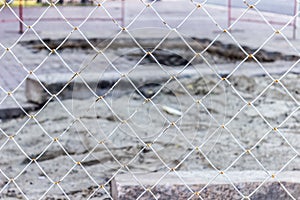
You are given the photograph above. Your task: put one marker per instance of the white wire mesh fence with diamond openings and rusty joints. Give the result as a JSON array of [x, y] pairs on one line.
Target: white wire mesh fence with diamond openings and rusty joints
[[126, 123]]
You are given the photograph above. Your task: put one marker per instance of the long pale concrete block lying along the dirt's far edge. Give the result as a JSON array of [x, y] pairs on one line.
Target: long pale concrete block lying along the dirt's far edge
[[77, 90]]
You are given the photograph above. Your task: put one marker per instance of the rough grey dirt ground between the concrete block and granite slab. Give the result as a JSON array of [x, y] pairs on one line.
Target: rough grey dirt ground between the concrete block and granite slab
[[103, 143]]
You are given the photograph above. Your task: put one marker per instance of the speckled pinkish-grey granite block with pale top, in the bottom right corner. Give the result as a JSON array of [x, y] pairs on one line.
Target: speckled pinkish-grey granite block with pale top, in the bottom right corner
[[125, 186]]
